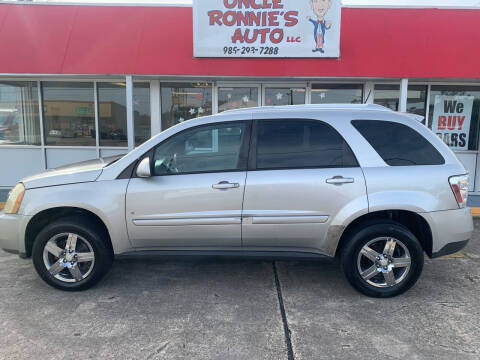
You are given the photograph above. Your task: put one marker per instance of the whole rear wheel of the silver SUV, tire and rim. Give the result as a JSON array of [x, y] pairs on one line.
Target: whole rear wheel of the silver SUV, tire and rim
[[382, 260]]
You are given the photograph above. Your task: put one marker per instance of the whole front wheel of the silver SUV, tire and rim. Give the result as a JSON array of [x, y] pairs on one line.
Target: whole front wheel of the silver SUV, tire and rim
[[72, 254]]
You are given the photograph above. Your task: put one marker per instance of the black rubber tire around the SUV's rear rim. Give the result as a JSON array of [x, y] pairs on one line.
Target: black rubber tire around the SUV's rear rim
[[360, 236]]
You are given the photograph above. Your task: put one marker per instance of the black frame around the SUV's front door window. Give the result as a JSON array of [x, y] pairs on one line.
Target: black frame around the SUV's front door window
[[243, 155]]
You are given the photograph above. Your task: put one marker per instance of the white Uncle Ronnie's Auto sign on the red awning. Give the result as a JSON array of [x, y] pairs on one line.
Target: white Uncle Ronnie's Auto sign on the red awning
[[266, 28]]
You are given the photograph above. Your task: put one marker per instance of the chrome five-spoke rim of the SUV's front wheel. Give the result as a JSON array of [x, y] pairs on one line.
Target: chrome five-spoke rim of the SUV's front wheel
[[68, 257]]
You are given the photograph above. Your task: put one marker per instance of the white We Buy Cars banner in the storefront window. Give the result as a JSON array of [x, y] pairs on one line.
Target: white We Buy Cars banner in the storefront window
[[451, 120]]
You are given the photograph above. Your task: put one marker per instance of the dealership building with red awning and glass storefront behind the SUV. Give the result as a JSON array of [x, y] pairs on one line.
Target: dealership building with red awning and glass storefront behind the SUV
[[79, 82]]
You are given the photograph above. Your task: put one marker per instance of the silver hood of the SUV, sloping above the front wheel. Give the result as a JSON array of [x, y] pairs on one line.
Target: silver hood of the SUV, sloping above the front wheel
[[85, 171]]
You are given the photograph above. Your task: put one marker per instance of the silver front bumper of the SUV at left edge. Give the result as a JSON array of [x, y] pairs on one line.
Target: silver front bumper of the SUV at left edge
[[12, 232]]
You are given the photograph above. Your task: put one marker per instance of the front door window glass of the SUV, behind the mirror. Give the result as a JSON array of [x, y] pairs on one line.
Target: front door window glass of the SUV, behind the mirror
[[207, 148]]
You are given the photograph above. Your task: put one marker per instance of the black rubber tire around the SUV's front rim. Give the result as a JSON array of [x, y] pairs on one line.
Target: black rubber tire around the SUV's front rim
[[90, 231]]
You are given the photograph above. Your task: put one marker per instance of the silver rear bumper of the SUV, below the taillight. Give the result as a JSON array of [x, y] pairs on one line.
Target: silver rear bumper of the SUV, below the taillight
[[451, 230]]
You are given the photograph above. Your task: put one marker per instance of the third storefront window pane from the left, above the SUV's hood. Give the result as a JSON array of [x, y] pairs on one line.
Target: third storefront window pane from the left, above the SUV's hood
[[112, 111]]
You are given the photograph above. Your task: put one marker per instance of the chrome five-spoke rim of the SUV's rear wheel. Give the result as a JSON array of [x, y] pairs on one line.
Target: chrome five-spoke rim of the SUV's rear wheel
[[384, 262]]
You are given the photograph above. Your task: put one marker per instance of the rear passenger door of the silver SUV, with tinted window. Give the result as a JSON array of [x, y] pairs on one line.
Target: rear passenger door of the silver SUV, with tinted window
[[301, 174]]
